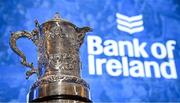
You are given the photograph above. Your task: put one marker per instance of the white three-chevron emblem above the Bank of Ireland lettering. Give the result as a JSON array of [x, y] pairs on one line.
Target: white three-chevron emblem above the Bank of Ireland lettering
[[131, 24]]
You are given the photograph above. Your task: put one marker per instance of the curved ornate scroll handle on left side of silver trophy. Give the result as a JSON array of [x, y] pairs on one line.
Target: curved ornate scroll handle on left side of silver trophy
[[24, 34]]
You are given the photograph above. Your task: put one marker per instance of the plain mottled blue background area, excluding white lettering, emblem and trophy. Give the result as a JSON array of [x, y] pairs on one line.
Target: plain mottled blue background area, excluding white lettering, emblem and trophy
[[161, 22]]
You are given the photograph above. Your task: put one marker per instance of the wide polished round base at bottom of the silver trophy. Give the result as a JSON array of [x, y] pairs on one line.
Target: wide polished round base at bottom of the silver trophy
[[64, 89]]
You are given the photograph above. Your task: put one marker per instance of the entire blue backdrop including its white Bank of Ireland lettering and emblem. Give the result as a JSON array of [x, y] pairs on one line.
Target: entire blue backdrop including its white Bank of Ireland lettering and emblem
[[133, 53]]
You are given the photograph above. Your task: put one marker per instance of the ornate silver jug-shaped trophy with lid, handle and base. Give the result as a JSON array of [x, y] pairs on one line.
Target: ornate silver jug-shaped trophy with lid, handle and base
[[58, 42]]
